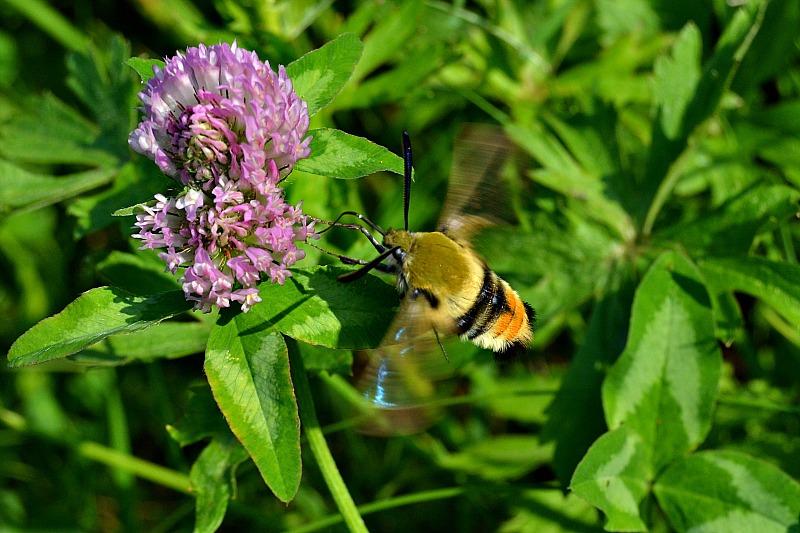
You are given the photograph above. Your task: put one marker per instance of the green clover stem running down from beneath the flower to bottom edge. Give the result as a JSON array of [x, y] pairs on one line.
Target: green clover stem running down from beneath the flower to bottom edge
[[318, 445]]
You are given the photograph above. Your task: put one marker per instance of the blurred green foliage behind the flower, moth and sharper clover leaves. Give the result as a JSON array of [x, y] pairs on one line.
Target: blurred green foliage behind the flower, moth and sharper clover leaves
[[584, 76]]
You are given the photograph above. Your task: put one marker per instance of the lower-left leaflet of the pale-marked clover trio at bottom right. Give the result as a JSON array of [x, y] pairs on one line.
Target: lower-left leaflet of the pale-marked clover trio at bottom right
[[614, 476]]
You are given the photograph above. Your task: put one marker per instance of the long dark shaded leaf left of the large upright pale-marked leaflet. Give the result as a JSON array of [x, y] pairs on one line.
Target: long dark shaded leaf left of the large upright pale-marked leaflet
[[575, 416]]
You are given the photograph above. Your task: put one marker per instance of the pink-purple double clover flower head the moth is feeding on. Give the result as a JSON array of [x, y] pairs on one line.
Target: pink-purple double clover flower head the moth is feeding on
[[229, 129]]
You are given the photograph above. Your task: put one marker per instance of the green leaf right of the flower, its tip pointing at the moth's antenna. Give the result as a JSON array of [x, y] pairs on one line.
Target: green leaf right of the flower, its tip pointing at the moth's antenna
[[338, 154]]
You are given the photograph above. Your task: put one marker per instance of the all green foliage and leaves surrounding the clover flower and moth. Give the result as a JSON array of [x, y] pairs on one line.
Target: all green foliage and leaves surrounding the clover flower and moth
[[657, 238]]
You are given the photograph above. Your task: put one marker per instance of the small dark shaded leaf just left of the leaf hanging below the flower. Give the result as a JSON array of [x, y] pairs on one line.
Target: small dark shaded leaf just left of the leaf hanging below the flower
[[201, 419]]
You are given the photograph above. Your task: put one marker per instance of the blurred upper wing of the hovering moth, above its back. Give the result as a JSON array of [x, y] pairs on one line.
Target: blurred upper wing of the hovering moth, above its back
[[477, 194]]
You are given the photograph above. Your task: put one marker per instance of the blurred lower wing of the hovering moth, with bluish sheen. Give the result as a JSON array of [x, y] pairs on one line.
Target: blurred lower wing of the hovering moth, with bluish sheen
[[400, 379]]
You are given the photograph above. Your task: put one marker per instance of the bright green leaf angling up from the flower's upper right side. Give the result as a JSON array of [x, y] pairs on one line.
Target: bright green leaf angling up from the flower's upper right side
[[320, 75]]
